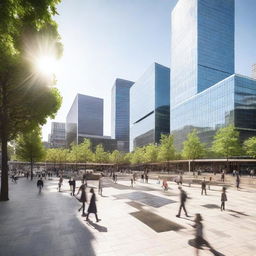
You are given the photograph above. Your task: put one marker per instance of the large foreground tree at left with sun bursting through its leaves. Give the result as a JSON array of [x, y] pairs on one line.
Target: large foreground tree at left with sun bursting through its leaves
[[27, 98]]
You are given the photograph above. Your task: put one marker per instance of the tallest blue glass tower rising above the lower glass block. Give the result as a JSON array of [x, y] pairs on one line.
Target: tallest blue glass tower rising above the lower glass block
[[202, 46]]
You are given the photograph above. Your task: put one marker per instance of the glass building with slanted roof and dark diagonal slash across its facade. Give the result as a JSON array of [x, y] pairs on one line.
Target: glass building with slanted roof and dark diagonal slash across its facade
[[150, 106]]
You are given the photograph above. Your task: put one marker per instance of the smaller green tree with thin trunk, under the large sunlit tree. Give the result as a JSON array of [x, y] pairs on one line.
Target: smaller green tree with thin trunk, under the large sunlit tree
[[30, 147]]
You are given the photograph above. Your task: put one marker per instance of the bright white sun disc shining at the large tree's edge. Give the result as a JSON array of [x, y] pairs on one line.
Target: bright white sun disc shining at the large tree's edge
[[47, 65]]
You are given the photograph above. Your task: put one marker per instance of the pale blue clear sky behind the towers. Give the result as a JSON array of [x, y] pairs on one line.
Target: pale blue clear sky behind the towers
[[106, 39]]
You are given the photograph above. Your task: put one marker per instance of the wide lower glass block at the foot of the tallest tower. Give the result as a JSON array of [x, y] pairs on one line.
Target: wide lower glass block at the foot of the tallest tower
[[231, 101]]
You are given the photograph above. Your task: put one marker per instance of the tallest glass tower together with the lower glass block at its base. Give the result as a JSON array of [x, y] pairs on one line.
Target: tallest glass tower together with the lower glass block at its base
[[205, 93]]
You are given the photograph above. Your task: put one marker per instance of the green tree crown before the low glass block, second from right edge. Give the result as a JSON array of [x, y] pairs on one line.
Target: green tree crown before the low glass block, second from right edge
[[226, 142]]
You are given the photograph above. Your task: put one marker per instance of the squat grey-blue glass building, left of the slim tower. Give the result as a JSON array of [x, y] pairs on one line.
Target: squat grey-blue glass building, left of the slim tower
[[85, 117]]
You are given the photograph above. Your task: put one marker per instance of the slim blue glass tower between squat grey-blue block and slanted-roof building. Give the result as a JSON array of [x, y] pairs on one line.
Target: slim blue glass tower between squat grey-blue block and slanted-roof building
[[120, 113]]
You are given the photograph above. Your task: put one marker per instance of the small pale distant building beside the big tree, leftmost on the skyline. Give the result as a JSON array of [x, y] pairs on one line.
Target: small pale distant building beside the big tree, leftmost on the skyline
[[57, 137]]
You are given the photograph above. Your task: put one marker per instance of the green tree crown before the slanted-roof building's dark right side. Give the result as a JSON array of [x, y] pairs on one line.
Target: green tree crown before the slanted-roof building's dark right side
[[166, 150]]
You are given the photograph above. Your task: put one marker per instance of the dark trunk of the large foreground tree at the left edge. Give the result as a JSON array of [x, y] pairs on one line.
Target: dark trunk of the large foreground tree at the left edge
[[4, 179]]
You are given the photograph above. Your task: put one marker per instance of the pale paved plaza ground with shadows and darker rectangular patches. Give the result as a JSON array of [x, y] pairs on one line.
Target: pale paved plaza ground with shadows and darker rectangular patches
[[137, 221]]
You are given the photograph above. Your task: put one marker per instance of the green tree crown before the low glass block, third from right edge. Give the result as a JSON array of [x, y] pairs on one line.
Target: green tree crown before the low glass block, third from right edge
[[192, 147]]
